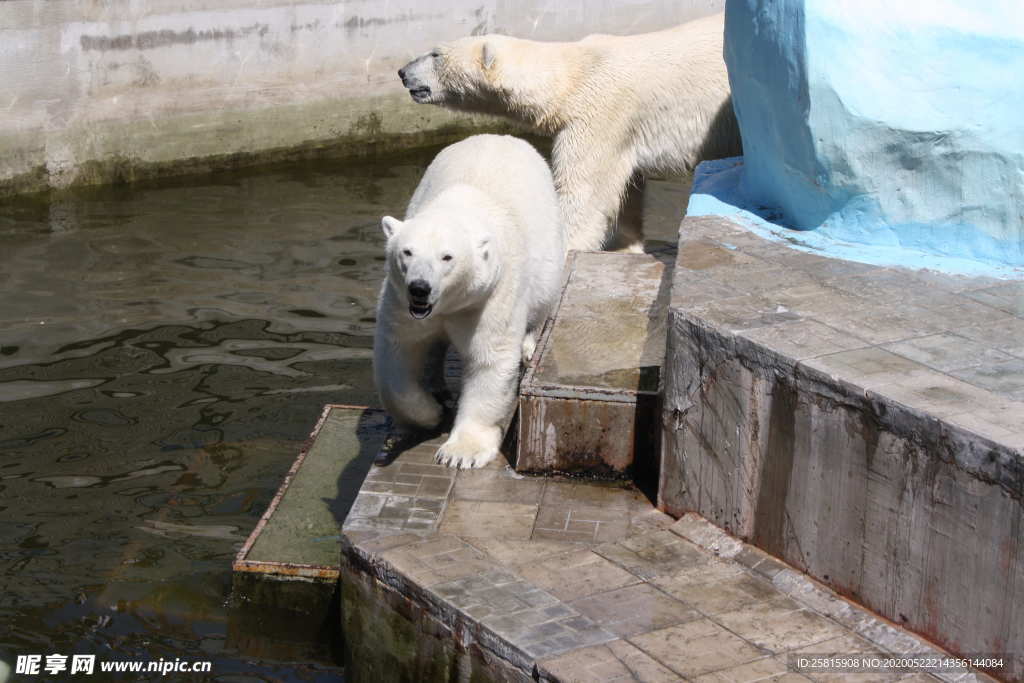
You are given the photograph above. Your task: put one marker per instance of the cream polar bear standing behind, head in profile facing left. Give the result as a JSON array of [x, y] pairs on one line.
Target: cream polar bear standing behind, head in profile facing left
[[619, 107]]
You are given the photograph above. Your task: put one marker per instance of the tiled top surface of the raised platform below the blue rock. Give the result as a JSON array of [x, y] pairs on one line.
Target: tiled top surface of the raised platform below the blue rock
[[943, 345]]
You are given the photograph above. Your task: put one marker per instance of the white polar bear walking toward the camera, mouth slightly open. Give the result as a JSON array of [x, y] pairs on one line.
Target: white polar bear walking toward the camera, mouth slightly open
[[477, 264]]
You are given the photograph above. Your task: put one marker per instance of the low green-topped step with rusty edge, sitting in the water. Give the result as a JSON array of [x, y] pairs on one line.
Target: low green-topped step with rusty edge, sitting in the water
[[284, 588]]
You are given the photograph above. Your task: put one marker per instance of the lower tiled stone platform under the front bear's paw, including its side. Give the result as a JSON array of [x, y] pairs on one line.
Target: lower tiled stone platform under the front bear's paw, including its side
[[490, 574]]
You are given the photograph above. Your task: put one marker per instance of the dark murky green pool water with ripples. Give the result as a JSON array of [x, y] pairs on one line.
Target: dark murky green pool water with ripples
[[164, 352]]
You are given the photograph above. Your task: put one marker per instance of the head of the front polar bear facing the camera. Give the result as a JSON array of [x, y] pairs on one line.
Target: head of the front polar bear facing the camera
[[440, 266]]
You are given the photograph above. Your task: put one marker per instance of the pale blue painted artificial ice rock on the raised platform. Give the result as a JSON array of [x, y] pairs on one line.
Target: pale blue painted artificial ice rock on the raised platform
[[893, 123]]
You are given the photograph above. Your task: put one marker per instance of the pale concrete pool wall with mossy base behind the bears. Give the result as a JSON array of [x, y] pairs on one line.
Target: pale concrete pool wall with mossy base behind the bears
[[116, 90]]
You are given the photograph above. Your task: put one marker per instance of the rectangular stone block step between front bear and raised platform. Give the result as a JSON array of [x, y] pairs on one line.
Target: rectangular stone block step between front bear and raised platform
[[588, 401]]
